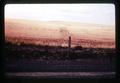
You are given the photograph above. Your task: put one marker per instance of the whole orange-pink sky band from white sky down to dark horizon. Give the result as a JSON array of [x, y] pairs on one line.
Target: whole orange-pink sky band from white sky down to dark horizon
[[57, 32]]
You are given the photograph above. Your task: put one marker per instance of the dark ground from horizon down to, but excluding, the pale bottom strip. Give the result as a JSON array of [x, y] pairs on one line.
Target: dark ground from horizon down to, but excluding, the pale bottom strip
[[32, 58]]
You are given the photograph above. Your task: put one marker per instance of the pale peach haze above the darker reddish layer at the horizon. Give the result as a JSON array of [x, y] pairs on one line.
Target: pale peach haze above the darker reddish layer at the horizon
[[60, 30]]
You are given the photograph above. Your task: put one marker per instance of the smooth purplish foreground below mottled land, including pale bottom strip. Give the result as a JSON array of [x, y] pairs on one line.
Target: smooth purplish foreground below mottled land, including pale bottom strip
[[89, 68]]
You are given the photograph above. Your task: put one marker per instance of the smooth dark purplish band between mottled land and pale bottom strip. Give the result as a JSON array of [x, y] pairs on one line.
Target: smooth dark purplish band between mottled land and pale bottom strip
[[88, 65]]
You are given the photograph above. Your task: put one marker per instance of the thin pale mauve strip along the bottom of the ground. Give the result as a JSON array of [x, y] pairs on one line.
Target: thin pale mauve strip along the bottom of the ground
[[39, 75]]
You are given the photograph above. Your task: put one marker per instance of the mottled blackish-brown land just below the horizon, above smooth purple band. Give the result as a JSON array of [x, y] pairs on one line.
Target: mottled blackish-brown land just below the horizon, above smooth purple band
[[31, 51]]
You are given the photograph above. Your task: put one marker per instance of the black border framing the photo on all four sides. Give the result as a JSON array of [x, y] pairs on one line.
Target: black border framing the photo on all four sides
[[4, 2]]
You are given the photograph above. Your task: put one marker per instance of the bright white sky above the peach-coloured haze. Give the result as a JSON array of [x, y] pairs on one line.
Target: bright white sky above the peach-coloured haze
[[83, 13]]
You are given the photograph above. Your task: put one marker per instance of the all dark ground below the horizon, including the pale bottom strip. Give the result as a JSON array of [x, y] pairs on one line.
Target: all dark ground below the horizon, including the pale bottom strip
[[50, 62]]
